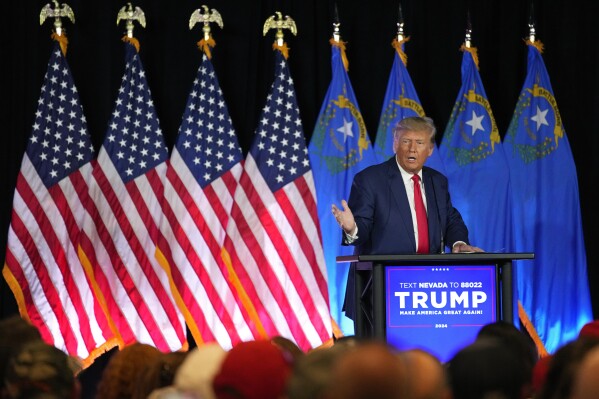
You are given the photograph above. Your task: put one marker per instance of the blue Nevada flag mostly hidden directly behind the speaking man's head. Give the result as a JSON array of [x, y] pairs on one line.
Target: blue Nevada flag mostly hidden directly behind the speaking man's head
[[401, 101]]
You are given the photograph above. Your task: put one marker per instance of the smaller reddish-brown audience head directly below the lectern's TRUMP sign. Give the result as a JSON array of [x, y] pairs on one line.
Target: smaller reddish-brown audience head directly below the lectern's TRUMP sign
[[427, 378]]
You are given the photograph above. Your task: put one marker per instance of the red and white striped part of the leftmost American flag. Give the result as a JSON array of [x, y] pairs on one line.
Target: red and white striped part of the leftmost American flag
[[42, 266]]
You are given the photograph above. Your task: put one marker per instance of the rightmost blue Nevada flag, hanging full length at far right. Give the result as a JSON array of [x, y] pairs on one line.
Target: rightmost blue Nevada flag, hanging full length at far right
[[554, 291]]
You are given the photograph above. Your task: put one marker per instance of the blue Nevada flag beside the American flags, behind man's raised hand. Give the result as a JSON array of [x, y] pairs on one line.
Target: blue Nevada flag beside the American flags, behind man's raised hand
[[339, 148]]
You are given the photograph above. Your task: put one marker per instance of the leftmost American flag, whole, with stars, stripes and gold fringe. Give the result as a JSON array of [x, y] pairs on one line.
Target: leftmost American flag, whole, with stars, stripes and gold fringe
[[42, 267]]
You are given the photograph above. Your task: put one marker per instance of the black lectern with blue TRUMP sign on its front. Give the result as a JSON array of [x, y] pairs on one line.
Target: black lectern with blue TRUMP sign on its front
[[437, 302]]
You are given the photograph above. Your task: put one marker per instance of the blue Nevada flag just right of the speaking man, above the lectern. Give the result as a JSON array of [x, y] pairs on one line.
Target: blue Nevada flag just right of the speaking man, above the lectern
[[475, 163]]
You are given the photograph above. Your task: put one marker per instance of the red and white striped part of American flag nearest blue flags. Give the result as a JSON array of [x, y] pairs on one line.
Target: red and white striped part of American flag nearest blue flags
[[276, 249]]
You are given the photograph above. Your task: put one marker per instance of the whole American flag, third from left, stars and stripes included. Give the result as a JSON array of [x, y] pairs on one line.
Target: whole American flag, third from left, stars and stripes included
[[204, 170]]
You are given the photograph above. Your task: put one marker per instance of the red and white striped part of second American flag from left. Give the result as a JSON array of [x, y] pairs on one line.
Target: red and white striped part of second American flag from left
[[119, 239]]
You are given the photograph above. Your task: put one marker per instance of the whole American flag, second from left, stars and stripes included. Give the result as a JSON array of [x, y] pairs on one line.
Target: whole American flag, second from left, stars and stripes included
[[122, 225]]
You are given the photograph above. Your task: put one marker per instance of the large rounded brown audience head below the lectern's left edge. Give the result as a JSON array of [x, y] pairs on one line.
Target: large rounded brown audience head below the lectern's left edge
[[369, 370]]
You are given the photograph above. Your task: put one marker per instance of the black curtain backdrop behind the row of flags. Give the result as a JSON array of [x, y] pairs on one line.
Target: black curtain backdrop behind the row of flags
[[243, 59]]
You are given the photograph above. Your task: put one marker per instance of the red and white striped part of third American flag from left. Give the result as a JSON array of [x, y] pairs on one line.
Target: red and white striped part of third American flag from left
[[195, 226]]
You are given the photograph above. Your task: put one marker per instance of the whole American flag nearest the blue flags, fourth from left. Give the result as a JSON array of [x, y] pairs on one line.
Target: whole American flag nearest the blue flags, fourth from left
[[273, 238]]
